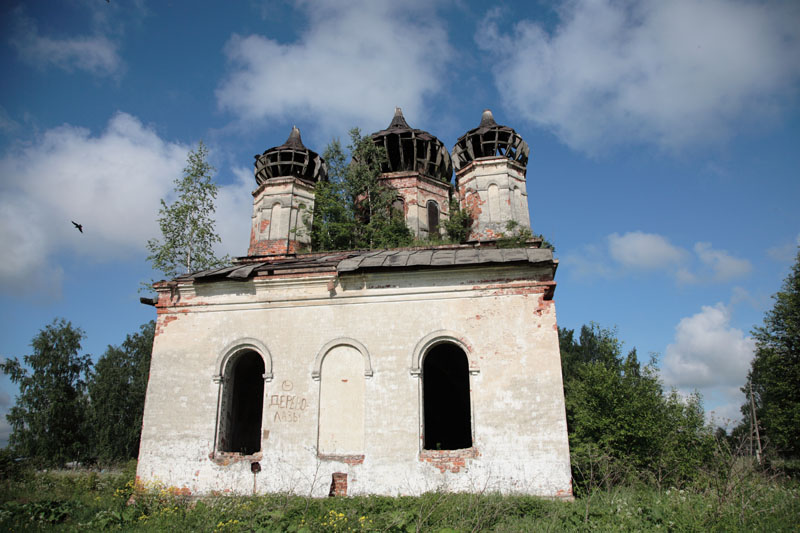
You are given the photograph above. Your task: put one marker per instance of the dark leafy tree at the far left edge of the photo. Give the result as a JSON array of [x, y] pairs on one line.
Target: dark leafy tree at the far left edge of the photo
[[49, 421]]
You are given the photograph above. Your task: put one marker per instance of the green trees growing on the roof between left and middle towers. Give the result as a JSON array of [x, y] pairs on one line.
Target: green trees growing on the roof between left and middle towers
[[354, 209]]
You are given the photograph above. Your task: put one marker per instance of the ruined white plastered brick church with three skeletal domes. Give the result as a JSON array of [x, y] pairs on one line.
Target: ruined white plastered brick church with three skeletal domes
[[393, 372]]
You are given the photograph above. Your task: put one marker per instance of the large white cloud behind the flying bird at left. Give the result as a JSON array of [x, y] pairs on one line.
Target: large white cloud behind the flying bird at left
[[110, 183]]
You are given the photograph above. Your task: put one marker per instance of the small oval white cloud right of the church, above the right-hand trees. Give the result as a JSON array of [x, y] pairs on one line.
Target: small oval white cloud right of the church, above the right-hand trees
[[640, 250]]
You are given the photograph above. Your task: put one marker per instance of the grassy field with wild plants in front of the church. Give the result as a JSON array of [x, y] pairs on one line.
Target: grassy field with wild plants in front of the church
[[92, 501]]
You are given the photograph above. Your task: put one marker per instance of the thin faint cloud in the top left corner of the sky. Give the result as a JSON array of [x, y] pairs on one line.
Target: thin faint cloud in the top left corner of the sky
[[95, 54]]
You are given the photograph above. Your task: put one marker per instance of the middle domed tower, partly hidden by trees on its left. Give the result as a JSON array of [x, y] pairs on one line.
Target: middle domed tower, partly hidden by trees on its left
[[419, 169]]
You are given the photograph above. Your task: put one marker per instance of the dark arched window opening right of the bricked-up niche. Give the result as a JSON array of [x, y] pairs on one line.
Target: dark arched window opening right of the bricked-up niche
[[446, 402]]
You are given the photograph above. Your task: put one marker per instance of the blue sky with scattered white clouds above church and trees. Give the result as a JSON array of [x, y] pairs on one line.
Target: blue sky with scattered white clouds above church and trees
[[665, 146]]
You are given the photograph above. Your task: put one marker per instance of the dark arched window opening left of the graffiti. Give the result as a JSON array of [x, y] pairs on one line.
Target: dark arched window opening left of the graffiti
[[242, 405]]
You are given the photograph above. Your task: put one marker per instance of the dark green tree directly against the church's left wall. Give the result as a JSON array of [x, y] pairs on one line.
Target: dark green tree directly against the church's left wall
[[117, 388]]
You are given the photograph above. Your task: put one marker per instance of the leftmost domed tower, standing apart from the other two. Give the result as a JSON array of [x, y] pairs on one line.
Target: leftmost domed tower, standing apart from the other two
[[283, 202]]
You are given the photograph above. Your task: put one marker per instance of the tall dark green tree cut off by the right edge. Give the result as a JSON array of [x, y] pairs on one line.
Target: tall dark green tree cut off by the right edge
[[775, 370]]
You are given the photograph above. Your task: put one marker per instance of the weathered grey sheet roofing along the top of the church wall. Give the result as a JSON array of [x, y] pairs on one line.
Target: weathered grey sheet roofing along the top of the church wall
[[363, 260]]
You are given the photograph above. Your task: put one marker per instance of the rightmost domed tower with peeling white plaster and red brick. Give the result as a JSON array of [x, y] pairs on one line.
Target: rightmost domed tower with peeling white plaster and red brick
[[490, 163]]
